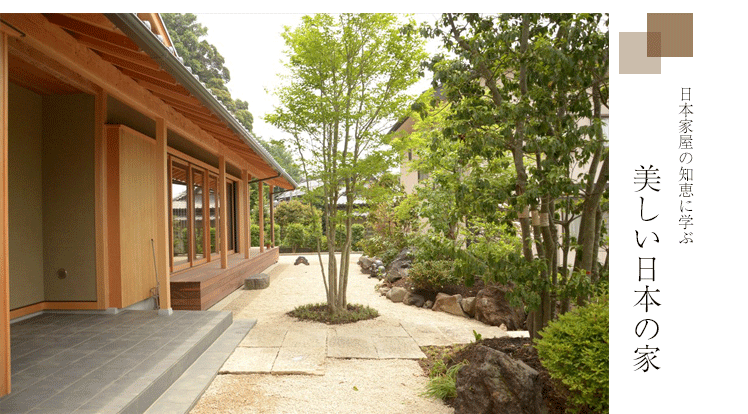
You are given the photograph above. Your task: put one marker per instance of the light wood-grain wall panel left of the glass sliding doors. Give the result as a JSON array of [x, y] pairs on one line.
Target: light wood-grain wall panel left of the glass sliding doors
[[138, 214]]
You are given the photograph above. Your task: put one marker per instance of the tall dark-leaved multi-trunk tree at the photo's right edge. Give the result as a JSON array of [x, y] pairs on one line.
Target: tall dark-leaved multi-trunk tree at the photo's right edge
[[518, 86]]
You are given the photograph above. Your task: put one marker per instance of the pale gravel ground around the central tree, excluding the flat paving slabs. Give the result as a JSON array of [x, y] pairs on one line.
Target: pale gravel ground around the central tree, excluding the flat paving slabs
[[349, 385]]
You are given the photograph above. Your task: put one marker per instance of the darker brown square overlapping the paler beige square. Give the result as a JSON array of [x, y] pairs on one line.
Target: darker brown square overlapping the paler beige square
[[676, 30]]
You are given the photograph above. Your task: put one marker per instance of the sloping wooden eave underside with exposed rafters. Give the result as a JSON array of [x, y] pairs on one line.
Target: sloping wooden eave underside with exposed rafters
[[88, 50]]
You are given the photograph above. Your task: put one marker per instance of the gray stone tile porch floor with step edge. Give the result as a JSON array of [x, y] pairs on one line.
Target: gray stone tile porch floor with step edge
[[80, 363]]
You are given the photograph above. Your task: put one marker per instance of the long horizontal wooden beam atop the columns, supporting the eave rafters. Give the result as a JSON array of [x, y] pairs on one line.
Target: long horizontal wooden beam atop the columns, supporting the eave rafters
[[64, 48]]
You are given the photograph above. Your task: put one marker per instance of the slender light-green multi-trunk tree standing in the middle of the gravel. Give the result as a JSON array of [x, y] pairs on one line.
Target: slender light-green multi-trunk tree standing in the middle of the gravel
[[348, 76]]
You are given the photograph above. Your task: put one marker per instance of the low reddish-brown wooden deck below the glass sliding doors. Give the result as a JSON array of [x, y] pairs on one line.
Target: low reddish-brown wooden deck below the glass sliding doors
[[202, 287]]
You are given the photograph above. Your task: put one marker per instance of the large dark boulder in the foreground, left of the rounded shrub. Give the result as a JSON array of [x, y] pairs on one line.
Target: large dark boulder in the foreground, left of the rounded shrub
[[495, 383]]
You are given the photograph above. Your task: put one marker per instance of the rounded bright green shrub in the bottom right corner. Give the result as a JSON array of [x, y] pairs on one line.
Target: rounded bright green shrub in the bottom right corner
[[574, 349]]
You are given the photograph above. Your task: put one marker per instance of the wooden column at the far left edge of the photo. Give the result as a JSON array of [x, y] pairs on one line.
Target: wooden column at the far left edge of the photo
[[4, 271]]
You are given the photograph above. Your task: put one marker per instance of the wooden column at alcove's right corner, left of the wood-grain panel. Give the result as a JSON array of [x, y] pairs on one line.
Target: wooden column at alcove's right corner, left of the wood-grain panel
[[100, 196]]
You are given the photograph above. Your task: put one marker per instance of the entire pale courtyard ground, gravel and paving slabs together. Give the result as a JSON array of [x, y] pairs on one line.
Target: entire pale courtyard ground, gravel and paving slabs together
[[377, 359]]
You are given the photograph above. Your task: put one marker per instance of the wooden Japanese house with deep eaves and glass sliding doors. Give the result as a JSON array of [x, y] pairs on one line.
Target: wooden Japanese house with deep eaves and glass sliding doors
[[110, 150]]
